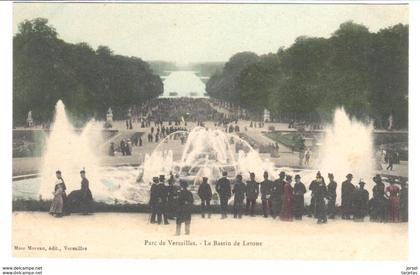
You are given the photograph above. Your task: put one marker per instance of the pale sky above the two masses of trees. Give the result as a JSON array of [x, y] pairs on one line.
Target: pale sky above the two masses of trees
[[201, 32]]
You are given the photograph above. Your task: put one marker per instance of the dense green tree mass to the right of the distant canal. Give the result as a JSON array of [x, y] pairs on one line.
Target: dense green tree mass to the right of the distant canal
[[365, 72]]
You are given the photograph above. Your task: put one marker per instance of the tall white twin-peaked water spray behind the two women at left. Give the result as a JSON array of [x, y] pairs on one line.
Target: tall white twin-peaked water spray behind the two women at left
[[69, 152]]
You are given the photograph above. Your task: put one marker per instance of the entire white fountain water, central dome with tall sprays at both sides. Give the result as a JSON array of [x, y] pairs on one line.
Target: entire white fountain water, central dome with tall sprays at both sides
[[346, 148]]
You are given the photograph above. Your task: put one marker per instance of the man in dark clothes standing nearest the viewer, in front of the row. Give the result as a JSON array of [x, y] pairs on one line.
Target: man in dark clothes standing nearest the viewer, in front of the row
[[185, 203]]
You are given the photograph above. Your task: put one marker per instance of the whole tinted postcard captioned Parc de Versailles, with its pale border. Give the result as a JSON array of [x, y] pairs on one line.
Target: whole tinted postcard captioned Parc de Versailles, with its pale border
[[210, 131]]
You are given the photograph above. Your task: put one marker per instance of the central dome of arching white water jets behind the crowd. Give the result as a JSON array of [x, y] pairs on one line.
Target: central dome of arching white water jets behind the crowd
[[206, 153]]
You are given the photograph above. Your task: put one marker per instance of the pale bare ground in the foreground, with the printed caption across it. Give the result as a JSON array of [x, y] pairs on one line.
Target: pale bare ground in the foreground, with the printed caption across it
[[120, 235]]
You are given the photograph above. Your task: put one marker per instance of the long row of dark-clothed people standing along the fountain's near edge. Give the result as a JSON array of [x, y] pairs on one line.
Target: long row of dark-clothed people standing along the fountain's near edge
[[281, 198]]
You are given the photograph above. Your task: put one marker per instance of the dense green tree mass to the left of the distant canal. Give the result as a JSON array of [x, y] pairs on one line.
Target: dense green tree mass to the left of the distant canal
[[46, 69]]
